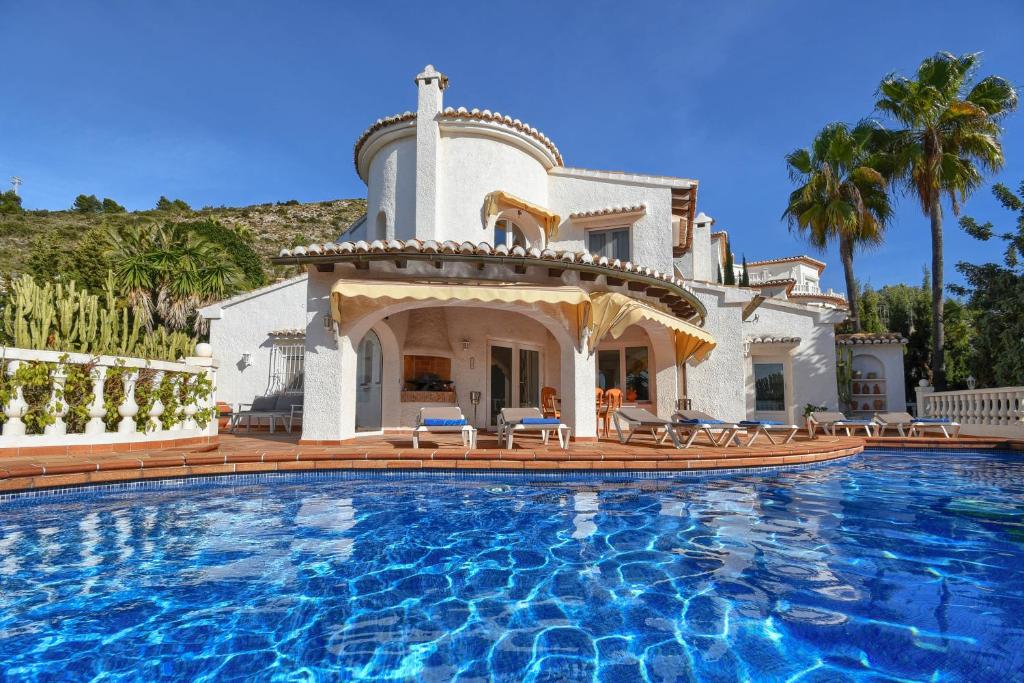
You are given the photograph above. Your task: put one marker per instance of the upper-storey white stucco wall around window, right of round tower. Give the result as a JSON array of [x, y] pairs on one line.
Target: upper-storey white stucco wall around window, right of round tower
[[651, 240]]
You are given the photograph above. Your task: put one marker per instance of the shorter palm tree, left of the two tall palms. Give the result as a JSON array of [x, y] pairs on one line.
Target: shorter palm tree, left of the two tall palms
[[842, 197]]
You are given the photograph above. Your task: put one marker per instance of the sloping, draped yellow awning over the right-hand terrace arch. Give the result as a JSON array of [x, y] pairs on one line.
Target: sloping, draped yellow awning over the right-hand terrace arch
[[613, 314]]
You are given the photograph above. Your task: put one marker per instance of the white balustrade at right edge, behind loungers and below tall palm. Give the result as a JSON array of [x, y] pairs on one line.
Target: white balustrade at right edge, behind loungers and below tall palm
[[998, 412]]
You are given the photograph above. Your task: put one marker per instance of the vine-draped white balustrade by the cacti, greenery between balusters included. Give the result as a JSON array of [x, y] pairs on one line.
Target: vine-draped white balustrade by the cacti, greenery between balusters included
[[65, 400]]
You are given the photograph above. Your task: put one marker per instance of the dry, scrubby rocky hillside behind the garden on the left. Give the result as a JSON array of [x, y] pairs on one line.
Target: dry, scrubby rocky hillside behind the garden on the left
[[271, 227]]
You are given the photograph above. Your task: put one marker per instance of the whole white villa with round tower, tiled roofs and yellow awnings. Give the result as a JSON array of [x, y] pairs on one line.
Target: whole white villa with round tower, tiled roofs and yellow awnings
[[487, 270]]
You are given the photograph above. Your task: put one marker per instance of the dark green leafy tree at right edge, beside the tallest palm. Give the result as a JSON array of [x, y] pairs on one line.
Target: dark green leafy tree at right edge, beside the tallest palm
[[997, 294]]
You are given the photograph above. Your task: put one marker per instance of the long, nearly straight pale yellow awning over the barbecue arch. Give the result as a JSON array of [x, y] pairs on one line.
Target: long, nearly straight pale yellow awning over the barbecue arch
[[374, 292]]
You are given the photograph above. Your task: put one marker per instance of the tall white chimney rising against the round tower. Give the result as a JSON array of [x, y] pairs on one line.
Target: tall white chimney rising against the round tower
[[432, 86]]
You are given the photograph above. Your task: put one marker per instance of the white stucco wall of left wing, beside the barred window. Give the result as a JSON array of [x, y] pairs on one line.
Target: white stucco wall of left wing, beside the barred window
[[242, 325]]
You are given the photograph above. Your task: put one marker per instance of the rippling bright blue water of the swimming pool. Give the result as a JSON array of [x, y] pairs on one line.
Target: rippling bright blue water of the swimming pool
[[879, 568]]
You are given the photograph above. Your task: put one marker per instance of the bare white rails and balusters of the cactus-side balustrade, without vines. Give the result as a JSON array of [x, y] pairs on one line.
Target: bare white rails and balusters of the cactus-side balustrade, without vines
[[132, 426]]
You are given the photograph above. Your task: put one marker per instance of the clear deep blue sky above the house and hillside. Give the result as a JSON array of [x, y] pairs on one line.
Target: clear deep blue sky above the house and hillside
[[241, 103]]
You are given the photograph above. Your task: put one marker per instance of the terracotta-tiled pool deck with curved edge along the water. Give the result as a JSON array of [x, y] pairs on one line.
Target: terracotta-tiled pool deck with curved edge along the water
[[260, 452]]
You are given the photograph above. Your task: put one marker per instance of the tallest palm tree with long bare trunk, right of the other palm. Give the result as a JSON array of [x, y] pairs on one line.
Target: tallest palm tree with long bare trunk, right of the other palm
[[949, 138]]
